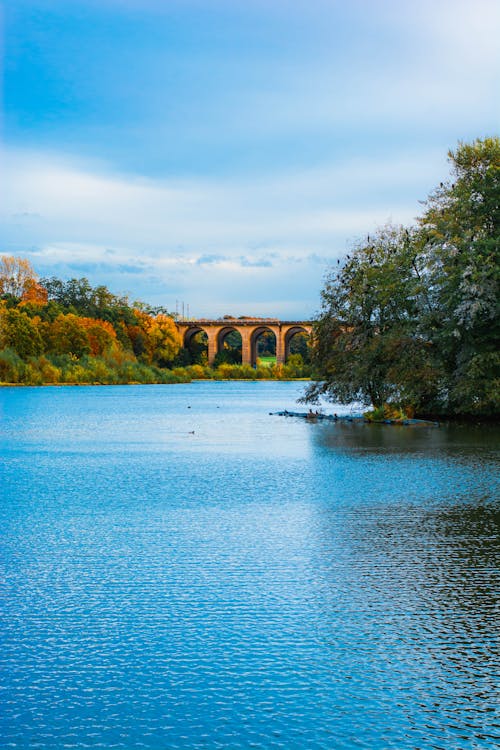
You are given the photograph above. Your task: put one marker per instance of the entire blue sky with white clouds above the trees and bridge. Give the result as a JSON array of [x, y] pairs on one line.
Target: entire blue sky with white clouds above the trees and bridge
[[225, 153]]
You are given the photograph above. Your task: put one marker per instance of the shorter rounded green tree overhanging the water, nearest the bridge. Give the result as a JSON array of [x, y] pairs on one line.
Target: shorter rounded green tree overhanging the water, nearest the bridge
[[367, 346]]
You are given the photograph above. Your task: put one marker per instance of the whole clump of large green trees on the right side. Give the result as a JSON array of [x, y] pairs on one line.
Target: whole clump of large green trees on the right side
[[410, 321]]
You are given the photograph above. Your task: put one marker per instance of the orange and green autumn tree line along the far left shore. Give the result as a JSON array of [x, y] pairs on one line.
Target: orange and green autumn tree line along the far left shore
[[54, 331]]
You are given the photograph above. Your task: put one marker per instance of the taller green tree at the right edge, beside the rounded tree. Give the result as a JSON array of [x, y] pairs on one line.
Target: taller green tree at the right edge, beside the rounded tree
[[461, 231]]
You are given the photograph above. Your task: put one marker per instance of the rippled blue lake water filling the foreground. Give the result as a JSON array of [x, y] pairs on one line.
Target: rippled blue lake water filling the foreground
[[261, 583]]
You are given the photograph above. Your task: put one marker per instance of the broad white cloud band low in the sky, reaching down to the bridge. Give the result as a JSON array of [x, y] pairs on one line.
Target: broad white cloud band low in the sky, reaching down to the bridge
[[219, 242]]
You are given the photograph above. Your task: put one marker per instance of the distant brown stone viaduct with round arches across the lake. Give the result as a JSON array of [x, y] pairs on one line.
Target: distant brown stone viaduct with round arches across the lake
[[249, 329]]
